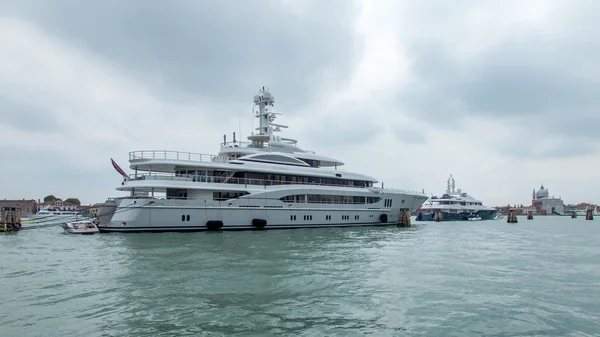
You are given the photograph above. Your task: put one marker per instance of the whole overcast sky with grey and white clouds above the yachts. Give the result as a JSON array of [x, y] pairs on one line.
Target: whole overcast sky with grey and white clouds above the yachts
[[504, 95]]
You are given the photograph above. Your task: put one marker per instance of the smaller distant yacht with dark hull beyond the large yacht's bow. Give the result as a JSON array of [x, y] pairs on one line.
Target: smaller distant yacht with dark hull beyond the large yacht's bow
[[455, 205]]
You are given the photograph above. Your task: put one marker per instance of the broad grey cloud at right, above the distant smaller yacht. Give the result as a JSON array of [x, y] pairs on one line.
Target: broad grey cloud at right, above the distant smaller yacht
[[513, 80]]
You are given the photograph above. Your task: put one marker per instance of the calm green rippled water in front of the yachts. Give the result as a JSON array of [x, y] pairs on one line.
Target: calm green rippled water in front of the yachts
[[539, 277]]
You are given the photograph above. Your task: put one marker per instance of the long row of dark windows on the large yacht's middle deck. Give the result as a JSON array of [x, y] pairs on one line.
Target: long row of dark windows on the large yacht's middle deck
[[252, 178]]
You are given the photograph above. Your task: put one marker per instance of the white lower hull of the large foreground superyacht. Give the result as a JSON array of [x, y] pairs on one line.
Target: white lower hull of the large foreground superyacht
[[135, 215]]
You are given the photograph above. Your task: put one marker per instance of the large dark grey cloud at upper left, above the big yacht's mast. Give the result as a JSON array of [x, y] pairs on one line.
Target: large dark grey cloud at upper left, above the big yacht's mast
[[219, 50]]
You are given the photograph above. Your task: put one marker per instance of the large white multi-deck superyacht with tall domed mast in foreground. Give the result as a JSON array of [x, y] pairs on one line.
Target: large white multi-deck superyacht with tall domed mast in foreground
[[267, 182]]
